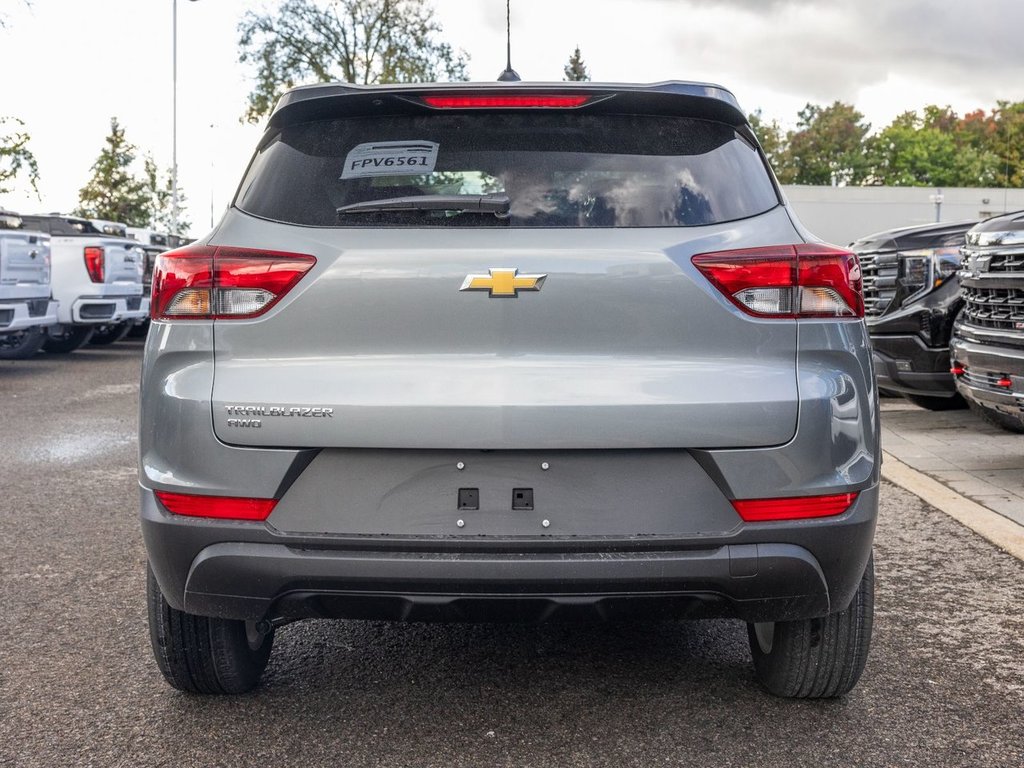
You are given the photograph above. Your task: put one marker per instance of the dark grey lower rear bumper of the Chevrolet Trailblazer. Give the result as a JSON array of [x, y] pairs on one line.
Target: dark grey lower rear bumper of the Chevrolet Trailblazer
[[766, 572]]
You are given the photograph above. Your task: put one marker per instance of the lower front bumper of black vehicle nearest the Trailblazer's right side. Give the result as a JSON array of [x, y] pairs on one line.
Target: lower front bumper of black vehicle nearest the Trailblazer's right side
[[905, 364]]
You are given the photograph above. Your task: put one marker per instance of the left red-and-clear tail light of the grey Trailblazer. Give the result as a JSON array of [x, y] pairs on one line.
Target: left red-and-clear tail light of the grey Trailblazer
[[219, 283]]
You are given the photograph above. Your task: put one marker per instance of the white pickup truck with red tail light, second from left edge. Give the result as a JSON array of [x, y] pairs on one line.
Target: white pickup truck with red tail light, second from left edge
[[98, 279]]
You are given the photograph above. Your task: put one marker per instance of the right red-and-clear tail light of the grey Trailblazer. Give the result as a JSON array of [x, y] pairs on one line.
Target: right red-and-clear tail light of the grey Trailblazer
[[801, 281]]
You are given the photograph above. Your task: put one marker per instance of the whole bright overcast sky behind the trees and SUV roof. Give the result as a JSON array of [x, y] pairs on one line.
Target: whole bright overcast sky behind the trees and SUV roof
[[69, 66]]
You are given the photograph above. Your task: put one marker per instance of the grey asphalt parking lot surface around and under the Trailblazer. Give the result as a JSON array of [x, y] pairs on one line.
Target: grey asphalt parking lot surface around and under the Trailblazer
[[945, 685]]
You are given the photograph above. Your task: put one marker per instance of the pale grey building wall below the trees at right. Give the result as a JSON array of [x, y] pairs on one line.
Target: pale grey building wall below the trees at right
[[842, 215]]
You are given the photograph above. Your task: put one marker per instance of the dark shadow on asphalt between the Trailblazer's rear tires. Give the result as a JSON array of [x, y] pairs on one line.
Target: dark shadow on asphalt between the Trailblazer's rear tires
[[447, 659]]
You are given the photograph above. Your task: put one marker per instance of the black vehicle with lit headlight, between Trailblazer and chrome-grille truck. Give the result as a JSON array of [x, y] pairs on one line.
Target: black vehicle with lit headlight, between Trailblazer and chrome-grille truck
[[912, 297]]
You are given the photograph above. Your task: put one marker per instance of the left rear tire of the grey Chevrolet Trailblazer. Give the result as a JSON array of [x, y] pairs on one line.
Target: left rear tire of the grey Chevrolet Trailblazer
[[200, 655]]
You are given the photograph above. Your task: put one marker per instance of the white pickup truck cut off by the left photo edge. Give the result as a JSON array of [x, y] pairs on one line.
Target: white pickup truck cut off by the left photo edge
[[26, 307]]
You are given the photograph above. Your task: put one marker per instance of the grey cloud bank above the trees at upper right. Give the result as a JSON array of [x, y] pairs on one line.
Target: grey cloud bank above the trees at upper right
[[835, 51]]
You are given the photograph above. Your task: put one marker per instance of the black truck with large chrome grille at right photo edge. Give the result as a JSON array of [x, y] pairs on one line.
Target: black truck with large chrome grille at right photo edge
[[989, 338]]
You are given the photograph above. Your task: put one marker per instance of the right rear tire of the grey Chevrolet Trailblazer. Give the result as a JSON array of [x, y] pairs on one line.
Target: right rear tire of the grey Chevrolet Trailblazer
[[817, 658]]
